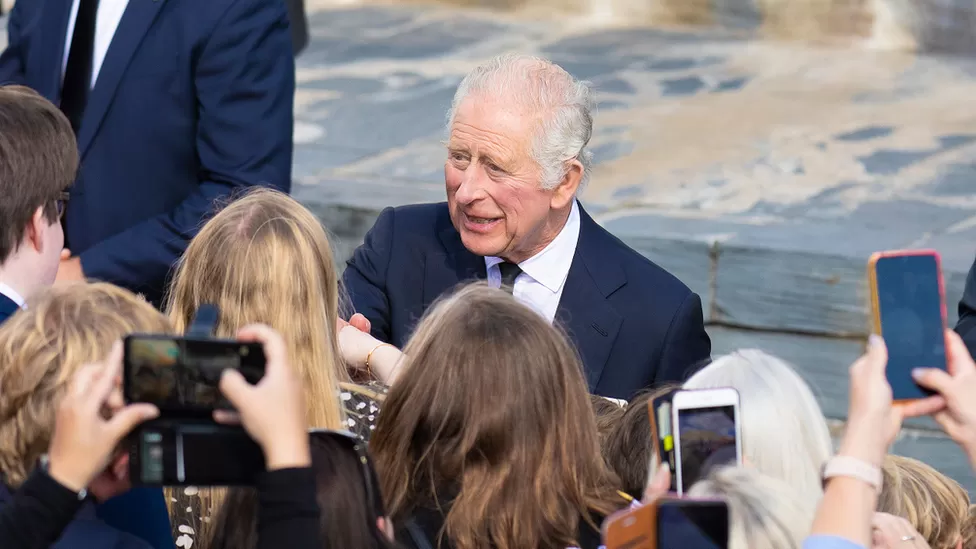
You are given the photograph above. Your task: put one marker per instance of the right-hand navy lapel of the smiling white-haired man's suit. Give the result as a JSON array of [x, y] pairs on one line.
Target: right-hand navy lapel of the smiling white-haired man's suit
[[584, 311]]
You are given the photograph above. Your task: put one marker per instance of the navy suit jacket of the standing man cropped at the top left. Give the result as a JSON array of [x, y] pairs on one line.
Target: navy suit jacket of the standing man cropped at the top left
[[193, 102]]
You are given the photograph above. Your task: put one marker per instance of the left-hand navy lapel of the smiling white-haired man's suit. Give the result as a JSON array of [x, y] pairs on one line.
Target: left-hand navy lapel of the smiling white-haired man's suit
[[443, 271]]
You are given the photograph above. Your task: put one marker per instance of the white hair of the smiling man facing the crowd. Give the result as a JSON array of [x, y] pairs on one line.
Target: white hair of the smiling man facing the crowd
[[538, 85]]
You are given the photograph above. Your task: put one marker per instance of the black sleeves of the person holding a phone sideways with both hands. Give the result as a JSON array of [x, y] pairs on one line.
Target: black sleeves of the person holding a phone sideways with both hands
[[288, 514]]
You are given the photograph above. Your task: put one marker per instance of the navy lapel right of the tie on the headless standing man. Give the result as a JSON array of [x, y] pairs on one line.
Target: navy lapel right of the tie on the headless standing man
[[138, 17]]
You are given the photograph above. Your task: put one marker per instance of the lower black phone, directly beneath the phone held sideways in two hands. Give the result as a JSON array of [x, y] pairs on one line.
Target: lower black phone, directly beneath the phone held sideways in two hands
[[177, 453]]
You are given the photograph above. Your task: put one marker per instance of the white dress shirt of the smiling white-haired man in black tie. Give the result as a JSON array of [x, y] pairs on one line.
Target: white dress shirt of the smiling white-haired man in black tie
[[540, 284]]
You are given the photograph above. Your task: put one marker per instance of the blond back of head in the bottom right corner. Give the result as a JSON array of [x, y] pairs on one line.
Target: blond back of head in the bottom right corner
[[936, 505]]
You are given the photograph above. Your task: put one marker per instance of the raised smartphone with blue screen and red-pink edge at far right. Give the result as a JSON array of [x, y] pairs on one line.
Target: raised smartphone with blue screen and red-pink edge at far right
[[908, 310]]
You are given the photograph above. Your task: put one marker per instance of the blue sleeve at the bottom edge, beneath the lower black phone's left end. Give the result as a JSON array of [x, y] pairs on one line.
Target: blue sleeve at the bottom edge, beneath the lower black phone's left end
[[141, 512]]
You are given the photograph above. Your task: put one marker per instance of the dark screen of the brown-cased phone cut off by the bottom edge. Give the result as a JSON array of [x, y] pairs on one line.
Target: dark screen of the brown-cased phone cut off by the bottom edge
[[692, 525]]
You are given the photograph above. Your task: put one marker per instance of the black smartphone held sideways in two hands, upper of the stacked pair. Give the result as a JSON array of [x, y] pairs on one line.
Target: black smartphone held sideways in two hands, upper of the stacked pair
[[181, 375]]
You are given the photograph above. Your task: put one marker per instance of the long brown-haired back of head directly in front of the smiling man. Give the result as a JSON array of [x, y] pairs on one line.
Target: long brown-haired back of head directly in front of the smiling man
[[492, 412]]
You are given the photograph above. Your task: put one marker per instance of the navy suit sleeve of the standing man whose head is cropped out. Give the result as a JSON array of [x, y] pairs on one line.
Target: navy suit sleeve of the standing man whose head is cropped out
[[245, 85]]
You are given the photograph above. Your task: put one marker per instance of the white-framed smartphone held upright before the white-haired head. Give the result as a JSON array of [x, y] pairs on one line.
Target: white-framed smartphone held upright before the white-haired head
[[706, 431]]
